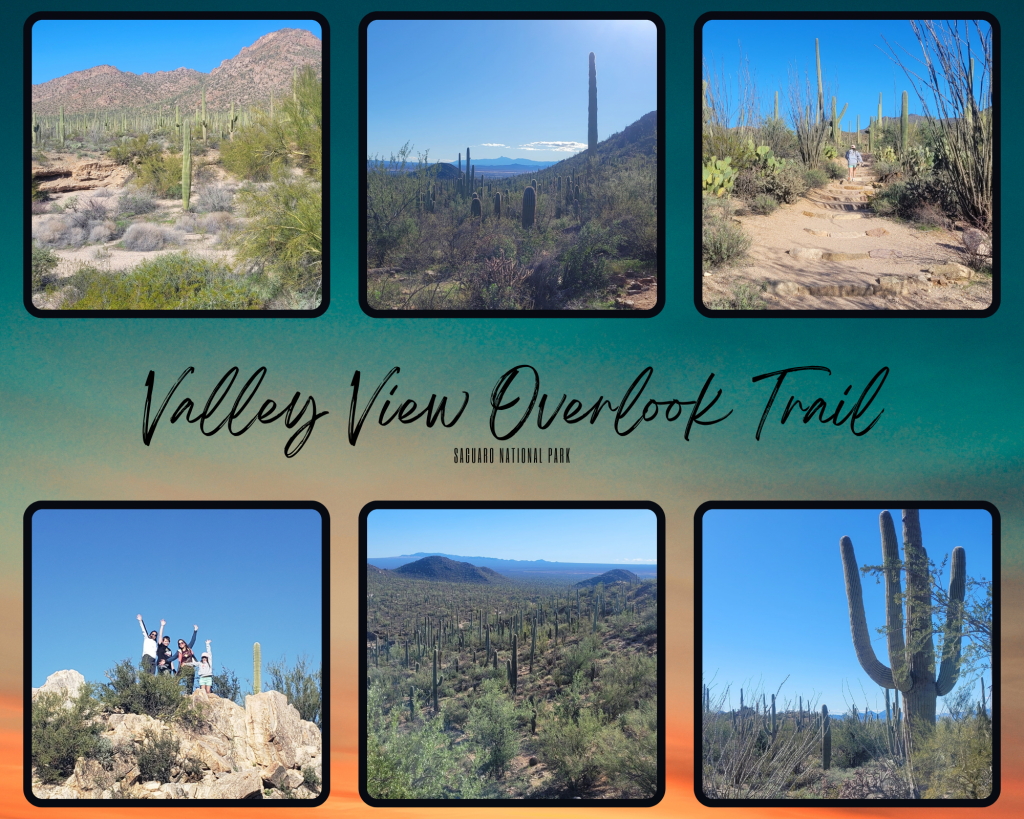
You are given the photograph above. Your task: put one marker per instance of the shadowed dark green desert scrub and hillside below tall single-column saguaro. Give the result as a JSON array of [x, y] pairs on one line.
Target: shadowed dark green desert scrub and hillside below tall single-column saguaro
[[550, 240]]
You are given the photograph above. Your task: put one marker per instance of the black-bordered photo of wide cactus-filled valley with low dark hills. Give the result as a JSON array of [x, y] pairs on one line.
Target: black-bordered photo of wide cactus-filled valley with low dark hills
[[513, 654]]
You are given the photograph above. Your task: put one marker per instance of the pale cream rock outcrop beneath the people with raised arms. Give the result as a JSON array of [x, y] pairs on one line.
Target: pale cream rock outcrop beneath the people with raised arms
[[262, 751]]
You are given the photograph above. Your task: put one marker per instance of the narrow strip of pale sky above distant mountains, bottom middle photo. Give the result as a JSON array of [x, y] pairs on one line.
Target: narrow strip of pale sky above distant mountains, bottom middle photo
[[571, 536]]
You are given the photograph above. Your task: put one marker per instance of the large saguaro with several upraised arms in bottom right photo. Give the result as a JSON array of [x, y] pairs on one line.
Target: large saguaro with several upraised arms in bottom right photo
[[912, 662]]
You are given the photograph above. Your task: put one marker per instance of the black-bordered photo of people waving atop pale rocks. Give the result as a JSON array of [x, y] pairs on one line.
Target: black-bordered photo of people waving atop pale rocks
[[188, 722]]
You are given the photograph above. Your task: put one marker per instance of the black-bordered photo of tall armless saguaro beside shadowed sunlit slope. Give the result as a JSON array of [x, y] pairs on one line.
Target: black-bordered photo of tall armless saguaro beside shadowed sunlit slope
[[537, 191]]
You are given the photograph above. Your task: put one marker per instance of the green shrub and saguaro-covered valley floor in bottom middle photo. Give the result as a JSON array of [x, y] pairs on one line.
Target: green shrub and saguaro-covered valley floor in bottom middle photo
[[511, 691]]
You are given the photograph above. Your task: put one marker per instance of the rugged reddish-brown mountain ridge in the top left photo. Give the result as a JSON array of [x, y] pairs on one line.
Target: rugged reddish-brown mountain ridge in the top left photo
[[246, 79]]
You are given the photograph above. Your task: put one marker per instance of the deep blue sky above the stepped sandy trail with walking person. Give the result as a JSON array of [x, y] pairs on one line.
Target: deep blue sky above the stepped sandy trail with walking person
[[856, 61]]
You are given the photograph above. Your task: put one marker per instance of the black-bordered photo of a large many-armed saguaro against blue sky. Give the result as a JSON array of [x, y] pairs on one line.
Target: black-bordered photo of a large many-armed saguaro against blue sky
[[828, 677]]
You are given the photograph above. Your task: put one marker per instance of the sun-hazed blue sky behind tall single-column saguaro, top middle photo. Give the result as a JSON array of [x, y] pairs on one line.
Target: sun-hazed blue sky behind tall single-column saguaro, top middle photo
[[513, 89]]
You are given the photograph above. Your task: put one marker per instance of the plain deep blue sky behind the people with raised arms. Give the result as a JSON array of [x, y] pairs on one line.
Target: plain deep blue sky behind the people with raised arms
[[242, 576]]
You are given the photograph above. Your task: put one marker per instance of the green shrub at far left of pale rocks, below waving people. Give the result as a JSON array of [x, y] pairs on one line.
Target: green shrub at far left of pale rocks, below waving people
[[62, 732]]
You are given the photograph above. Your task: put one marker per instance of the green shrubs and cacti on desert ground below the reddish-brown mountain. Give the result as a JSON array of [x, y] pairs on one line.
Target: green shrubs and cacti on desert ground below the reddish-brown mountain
[[268, 217]]
